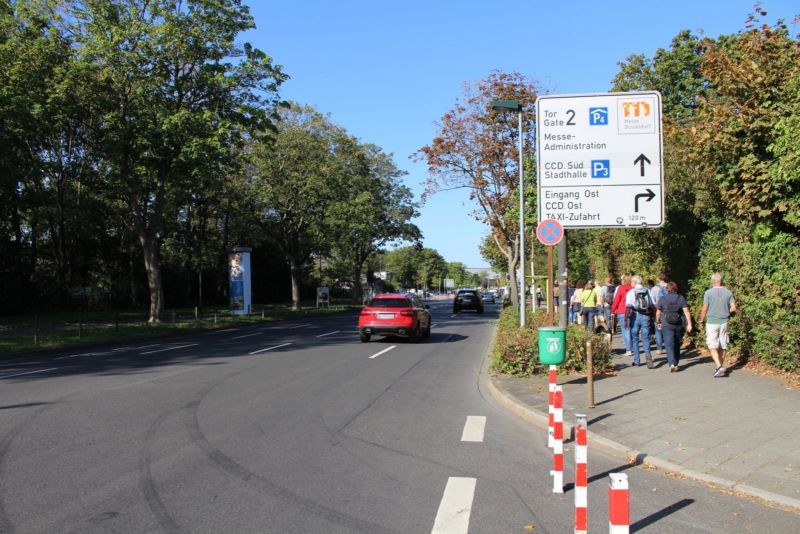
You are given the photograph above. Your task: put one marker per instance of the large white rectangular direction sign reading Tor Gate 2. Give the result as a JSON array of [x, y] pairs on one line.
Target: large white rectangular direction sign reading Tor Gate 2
[[600, 160]]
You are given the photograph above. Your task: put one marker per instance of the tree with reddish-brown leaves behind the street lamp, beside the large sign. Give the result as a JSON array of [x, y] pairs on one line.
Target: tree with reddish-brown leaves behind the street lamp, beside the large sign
[[477, 148]]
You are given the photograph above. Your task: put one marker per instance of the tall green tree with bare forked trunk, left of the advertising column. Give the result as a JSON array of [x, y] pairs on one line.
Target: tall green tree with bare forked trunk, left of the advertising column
[[176, 105]]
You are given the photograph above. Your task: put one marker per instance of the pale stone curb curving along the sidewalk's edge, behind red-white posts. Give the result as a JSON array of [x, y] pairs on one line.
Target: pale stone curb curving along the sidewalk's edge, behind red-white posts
[[633, 456]]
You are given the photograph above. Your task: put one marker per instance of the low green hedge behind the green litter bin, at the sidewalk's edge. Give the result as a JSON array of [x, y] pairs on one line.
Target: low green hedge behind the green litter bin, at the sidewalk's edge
[[516, 350]]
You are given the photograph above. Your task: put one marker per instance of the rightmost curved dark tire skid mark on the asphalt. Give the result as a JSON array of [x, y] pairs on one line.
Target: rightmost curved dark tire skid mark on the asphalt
[[231, 466]]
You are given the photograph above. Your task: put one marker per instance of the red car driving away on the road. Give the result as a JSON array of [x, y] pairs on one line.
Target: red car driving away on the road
[[395, 314]]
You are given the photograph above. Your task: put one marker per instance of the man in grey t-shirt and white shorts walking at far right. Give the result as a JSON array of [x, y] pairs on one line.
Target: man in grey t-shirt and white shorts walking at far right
[[718, 305]]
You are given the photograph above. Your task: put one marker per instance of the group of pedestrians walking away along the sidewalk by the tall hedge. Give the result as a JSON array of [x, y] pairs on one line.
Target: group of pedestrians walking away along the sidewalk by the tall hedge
[[660, 311]]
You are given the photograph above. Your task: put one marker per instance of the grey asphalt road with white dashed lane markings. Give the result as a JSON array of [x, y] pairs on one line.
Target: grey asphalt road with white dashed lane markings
[[297, 427]]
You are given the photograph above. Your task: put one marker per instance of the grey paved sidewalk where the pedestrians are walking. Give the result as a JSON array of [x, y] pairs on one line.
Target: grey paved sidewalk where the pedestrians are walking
[[740, 432]]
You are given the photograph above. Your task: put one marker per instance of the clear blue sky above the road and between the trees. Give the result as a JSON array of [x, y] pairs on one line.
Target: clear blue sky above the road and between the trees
[[386, 70]]
